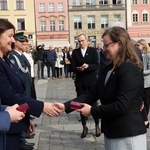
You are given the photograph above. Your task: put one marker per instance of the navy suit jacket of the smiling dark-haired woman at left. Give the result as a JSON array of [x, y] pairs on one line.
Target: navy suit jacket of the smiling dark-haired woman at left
[[12, 91]]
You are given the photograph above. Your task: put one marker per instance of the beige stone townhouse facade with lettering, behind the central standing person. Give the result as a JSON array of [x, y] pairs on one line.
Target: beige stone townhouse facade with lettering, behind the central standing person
[[93, 17]]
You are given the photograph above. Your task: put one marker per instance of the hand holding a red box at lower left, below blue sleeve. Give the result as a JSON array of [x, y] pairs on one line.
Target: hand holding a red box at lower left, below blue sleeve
[[15, 115]]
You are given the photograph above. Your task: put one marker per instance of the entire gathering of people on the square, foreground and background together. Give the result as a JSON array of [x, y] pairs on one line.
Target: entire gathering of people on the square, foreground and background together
[[117, 73]]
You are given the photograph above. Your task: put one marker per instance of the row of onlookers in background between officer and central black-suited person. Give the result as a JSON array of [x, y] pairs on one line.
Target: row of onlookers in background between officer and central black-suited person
[[57, 61]]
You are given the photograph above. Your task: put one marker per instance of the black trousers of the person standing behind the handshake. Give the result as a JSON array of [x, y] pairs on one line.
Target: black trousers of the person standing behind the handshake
[[81, 91]]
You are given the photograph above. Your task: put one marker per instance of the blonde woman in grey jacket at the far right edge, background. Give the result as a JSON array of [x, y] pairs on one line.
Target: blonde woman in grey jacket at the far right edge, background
[[145, 50]]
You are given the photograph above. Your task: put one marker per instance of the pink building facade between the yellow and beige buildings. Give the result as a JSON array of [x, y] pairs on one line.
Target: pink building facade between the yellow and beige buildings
[[52, 22]]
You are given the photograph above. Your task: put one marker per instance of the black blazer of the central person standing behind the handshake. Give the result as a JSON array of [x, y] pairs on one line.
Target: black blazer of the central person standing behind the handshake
[[87, 77]]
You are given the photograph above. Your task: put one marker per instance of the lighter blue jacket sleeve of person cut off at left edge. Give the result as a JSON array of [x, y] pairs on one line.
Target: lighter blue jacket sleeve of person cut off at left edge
[[4, 125]]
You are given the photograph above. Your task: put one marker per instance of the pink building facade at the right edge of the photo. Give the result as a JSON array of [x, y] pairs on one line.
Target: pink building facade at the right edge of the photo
[[138, 14]]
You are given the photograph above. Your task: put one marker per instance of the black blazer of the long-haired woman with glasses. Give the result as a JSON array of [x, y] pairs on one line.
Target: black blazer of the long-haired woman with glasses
[[121, 99]]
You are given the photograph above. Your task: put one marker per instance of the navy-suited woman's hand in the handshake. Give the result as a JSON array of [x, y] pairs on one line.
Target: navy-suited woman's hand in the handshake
[[51, 110]]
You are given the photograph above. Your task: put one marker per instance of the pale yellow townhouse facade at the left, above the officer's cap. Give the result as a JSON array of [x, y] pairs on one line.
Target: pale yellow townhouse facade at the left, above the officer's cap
[[21, 14]]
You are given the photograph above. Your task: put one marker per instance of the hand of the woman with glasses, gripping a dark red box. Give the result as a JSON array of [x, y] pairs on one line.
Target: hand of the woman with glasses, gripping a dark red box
[[85, 111]]
